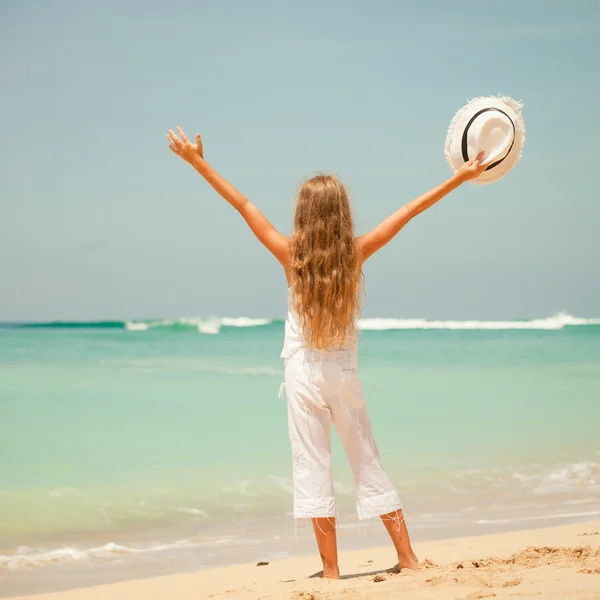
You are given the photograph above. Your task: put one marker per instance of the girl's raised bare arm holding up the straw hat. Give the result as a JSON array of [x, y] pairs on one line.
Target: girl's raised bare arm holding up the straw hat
[[378, 237]]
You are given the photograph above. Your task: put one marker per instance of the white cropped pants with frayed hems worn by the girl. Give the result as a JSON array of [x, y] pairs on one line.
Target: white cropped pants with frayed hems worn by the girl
[[323, 387]]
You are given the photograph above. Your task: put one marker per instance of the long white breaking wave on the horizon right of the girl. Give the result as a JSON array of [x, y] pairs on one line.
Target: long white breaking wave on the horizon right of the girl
[[558, 321]]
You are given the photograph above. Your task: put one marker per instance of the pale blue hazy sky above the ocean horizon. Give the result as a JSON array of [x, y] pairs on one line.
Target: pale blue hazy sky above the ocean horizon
[[99, 220]]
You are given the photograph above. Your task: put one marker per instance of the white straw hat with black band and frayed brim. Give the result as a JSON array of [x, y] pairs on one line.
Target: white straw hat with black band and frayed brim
[[490, 125]]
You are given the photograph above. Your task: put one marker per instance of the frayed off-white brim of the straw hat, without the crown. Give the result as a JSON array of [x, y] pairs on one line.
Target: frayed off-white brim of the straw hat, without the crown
[[453, 148]]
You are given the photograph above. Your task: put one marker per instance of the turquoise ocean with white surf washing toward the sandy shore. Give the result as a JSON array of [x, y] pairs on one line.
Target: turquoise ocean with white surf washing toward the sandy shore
[[137, 448]]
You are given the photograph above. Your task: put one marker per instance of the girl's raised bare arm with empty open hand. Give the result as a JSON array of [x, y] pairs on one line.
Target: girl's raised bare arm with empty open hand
[[193, 154]]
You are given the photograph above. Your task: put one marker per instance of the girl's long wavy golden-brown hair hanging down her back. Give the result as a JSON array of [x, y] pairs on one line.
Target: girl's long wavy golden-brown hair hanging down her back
[[325, 269]]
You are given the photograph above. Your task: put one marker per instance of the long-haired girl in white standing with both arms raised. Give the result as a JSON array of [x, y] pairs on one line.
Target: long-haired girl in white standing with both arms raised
[[323, 266]]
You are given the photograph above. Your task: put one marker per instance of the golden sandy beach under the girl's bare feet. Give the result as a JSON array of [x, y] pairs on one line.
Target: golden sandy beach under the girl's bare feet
[[558, 562]]
